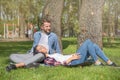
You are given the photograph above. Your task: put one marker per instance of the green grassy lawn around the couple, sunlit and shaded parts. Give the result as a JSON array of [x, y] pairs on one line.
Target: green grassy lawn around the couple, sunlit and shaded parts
[[59, 73]]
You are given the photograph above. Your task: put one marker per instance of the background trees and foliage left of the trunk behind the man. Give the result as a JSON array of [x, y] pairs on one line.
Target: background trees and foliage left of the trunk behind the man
[[21, 12]]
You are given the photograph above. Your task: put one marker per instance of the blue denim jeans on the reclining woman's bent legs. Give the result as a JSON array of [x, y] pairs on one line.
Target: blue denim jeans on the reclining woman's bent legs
[[86, 49]]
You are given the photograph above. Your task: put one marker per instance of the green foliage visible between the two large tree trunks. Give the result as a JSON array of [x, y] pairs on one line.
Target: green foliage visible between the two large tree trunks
[[70, 18]]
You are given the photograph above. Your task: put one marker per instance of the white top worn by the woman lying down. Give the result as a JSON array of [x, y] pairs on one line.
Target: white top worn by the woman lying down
[[59, 57]]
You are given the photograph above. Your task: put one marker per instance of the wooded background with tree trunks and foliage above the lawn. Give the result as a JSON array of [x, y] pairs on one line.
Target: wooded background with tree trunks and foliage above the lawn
[[83, 19]]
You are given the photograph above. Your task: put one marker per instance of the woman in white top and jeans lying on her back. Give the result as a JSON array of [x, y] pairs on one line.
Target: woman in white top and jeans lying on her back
[[88, 48]]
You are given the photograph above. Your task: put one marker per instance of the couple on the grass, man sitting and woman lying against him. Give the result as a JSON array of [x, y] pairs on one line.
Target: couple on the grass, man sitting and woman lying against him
[[46, 48]]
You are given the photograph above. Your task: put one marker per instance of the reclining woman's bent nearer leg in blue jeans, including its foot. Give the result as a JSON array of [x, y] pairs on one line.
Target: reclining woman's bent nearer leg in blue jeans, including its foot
[[87, 47]]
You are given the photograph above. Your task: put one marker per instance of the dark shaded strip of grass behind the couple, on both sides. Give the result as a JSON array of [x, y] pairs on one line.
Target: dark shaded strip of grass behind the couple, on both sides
[[6, 48]]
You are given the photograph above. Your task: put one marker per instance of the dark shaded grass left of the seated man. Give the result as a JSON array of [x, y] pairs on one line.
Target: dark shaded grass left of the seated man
[[7, 48]]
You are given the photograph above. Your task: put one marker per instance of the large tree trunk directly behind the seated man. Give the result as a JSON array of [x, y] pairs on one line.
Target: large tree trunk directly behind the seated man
[[53, 10]]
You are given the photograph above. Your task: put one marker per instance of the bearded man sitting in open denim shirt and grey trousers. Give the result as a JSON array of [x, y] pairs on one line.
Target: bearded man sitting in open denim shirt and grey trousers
[[45, 38]]
